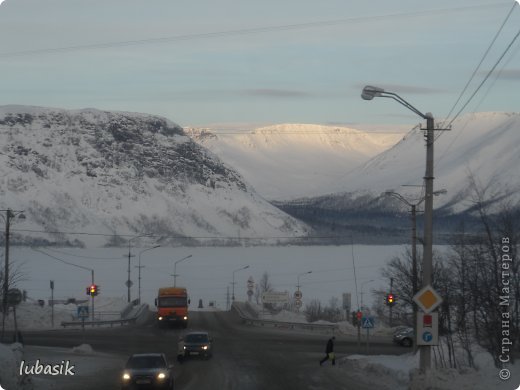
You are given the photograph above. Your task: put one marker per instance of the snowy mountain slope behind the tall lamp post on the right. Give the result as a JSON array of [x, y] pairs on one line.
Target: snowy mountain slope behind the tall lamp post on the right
[[482, 145]]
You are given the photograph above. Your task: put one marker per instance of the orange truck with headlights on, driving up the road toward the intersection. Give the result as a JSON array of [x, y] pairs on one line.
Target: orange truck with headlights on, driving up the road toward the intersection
[[172, 306]]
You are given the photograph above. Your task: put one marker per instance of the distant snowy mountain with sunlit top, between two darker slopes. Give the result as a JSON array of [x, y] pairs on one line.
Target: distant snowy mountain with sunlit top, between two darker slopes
[[294, 160]]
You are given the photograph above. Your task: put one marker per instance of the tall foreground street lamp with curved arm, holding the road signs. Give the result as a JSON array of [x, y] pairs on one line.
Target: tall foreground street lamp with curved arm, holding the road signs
[[370, 92]]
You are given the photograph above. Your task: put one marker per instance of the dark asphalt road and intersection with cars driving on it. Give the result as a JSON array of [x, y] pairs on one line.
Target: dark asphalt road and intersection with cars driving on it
[[245, 357]]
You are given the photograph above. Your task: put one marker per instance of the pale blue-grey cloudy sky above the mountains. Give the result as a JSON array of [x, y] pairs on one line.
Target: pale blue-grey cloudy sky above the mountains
[[235, 63]]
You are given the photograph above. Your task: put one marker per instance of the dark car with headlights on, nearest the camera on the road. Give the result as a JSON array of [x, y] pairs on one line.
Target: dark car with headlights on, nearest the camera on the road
[[148, 371]]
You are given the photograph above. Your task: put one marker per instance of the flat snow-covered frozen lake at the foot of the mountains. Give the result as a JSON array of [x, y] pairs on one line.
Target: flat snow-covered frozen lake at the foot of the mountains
[[207, 274]]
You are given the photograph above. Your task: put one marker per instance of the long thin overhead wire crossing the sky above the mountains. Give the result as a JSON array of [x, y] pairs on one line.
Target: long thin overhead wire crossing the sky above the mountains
[[247, 31]]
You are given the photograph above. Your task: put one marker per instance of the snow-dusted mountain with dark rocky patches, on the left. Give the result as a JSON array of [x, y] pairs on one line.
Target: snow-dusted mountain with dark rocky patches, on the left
[[123, 173]]
